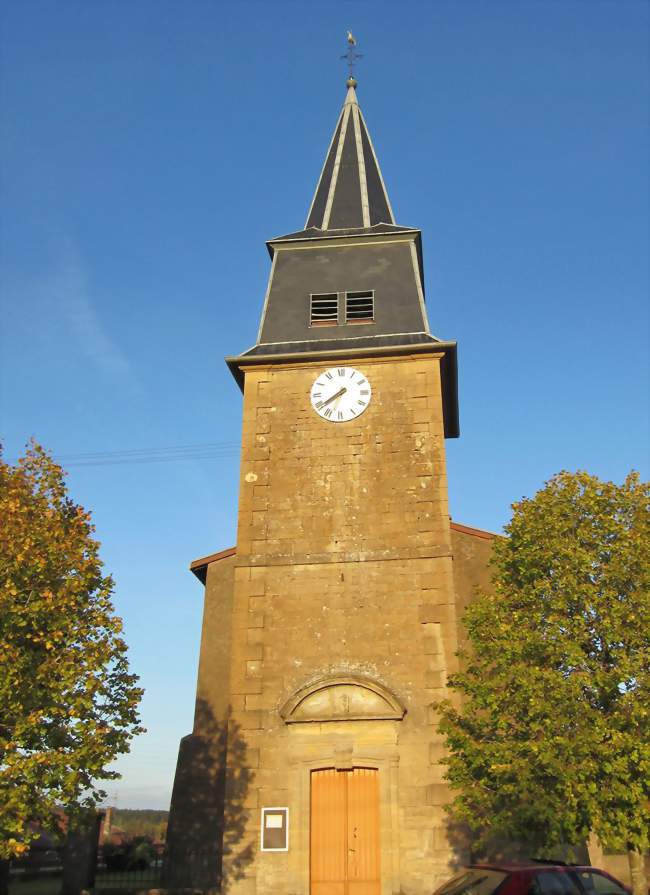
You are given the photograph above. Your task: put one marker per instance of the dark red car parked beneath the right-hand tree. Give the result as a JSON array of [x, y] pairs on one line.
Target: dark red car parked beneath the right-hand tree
[[535, 878]]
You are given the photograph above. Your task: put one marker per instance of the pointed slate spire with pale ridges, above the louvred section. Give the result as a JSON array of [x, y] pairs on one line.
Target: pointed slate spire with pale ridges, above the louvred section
[[350, 191]]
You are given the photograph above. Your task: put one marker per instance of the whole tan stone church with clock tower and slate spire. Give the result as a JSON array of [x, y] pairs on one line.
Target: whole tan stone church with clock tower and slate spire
[[329, 630]]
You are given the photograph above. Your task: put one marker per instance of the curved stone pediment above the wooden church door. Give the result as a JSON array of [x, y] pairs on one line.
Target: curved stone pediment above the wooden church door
[[342, 698]]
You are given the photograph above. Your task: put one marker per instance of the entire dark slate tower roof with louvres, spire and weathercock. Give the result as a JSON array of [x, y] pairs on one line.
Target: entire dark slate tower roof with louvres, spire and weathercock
[[351, 283]]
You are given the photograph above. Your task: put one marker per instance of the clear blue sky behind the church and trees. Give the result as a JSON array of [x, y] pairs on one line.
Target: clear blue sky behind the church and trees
[[148, 151]]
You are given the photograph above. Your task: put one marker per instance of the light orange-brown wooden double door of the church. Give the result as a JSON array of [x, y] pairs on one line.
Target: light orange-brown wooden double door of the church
[[344, 832]]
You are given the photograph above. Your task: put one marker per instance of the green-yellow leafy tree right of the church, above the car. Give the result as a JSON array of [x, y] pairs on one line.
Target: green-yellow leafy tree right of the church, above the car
[[548, 736]]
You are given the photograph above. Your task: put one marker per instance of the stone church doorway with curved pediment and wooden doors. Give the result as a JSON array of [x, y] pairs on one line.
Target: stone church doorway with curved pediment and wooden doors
[[343, 733]]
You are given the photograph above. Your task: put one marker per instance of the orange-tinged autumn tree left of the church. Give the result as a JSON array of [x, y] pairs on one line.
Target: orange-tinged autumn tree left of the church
[[68, 704]]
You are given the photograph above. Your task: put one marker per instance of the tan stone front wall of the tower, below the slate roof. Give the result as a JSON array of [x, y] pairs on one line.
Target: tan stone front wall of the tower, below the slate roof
[[343, 567]]
